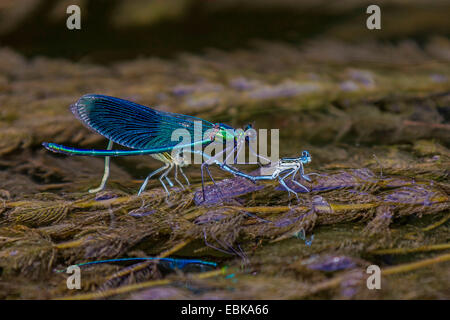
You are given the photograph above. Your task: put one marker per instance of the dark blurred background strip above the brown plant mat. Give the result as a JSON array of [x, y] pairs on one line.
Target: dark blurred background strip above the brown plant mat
[[118, 29]]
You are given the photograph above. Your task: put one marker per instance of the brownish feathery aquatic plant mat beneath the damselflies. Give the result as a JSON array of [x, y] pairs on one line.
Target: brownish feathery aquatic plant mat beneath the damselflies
[[375, 118]]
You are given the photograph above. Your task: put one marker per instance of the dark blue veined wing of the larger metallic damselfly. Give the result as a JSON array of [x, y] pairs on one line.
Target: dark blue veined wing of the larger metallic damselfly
[[133, 125]]
